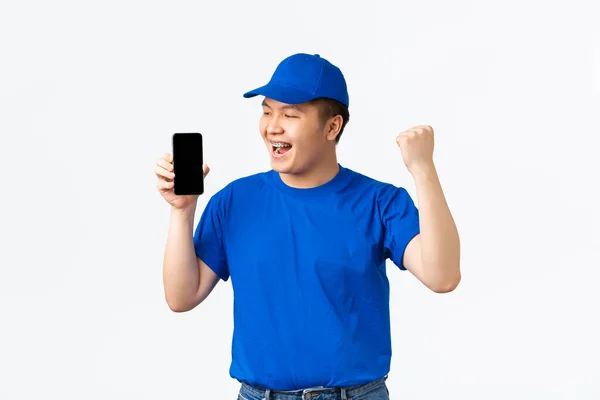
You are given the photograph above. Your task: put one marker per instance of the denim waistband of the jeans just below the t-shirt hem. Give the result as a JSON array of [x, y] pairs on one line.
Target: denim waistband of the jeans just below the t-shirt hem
[[306, 394]]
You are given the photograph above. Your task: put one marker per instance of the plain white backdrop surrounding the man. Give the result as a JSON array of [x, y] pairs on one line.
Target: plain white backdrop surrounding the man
[[91, 92]]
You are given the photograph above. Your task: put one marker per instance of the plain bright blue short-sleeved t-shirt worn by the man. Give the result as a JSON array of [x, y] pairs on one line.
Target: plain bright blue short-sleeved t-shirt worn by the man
[[307, 267]]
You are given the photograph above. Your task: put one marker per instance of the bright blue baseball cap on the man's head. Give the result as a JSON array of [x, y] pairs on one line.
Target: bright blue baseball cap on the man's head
[[303, 77]]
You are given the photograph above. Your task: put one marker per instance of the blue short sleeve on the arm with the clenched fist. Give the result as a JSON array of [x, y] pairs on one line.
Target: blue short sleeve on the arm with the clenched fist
[[400, 218]]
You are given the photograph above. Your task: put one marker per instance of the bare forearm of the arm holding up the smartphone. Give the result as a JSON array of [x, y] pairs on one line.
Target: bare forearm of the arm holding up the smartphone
[[180, 266]]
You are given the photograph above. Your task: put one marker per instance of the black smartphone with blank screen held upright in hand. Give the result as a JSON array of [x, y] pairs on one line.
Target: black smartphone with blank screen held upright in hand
[[188, 160]]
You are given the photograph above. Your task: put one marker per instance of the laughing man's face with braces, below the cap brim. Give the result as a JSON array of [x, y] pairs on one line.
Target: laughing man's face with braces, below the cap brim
[[295, 135]]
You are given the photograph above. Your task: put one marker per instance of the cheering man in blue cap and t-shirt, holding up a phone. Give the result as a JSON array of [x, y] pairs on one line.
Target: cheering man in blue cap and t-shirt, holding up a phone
[[306, 244]]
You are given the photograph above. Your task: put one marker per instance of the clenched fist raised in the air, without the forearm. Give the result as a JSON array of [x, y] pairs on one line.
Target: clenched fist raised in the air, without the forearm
[[416, 145]]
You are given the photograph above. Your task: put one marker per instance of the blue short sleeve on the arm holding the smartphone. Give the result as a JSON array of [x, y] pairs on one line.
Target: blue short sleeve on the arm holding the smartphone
[[208, 238]]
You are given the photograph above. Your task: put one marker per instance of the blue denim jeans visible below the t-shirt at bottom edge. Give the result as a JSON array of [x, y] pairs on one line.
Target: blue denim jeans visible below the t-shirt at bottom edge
[[376, 390]]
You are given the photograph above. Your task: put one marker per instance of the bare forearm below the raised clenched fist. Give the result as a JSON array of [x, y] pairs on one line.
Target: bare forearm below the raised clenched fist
[[440, 244]]
